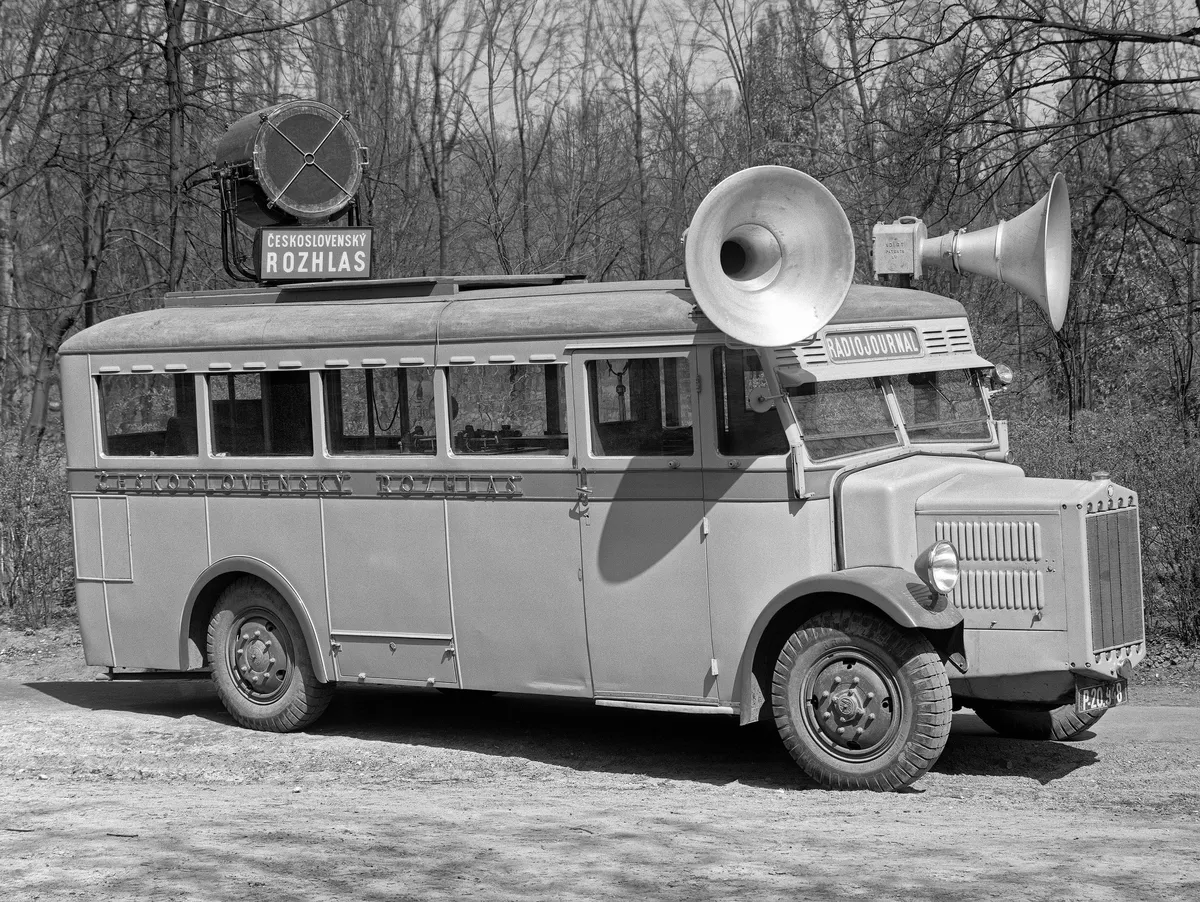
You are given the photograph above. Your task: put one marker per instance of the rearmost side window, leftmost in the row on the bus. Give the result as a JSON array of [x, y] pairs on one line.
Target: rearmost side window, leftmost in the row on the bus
[[151, 416]]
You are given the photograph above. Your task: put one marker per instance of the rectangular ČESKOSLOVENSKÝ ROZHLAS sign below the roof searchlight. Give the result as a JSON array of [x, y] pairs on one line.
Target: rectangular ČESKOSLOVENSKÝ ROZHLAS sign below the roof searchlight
[[305, 255]]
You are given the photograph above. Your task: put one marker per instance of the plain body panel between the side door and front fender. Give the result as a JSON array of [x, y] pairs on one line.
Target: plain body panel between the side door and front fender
[[755, 551]]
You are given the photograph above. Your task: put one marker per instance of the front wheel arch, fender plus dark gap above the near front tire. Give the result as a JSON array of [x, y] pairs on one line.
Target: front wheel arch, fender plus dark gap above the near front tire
[[897, 594]]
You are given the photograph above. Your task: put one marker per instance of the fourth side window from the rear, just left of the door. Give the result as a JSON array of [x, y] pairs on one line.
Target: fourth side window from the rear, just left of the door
[[509, 410]]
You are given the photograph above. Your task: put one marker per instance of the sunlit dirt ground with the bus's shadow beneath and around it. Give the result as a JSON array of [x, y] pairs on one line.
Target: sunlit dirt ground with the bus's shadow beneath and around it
[[148, 791]]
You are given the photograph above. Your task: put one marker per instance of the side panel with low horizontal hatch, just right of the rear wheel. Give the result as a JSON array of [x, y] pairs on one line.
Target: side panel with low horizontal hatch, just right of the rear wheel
[[387, 566]]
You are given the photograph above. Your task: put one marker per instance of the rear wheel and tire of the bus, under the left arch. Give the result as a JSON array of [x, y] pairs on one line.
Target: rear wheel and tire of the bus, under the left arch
[[261, 663]]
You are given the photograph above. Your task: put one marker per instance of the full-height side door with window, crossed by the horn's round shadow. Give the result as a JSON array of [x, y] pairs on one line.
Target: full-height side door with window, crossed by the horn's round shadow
[[645, 575]]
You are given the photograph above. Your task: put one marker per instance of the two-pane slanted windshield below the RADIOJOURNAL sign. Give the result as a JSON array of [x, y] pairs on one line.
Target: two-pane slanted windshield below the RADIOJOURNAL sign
[[851, 416]]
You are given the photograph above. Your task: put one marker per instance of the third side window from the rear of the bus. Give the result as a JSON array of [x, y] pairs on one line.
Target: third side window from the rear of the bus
[[380, 412]]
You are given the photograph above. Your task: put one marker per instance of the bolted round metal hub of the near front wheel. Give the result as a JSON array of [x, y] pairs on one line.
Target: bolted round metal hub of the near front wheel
[[853, 705]]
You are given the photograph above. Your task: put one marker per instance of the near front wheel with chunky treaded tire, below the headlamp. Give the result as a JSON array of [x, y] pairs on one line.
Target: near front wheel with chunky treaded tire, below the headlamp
[[861, 703]]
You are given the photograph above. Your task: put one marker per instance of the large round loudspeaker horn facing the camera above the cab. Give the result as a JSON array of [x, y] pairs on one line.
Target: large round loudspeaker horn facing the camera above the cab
[[770, 256]]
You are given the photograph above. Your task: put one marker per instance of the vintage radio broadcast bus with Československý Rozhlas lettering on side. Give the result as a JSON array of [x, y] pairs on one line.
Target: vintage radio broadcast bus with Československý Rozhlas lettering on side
[[542, 485]]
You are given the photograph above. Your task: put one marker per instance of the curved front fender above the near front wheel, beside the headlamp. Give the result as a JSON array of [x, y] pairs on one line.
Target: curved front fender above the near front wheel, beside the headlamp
[[897, 594]]
